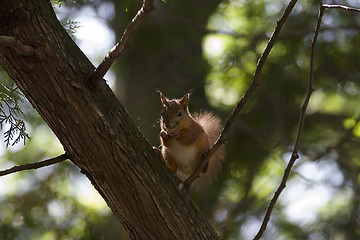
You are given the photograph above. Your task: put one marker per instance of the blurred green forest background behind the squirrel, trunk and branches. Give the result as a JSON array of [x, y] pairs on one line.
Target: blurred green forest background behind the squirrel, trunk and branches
[[213, 47]]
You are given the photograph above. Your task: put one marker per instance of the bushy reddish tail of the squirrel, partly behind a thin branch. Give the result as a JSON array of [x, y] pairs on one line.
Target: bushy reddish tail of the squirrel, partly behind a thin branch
[[212, 127]]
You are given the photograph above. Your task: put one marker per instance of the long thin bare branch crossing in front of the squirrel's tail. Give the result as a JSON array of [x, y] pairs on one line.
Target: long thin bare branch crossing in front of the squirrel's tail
[[254, 83]]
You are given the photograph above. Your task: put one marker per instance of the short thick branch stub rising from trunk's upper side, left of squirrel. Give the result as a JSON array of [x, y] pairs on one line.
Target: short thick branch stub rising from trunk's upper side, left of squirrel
[[120, 47]]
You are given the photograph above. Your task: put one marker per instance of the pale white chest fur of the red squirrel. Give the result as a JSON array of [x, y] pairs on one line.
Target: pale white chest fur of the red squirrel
[[184, 155]]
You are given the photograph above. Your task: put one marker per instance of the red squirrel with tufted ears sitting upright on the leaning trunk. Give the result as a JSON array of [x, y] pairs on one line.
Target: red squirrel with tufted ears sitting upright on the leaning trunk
[[186, 139]]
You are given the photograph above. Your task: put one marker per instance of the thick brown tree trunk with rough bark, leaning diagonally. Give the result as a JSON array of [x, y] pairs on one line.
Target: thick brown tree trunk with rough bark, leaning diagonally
[[94, 128]]
